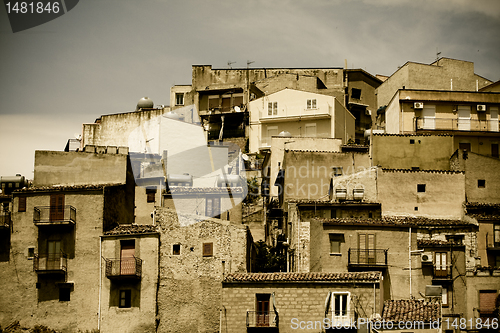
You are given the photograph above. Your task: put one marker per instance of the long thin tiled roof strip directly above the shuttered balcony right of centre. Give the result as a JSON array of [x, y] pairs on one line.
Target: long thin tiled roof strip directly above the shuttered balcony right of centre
[[397, 221]]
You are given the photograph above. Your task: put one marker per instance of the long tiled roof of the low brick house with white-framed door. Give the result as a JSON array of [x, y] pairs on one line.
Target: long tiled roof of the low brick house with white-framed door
[[347, 277]]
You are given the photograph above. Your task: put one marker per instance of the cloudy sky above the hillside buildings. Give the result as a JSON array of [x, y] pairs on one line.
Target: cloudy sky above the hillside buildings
[[104, 55]]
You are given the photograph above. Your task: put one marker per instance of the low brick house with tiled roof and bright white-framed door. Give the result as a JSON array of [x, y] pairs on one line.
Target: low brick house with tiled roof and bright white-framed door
[[287, 302]]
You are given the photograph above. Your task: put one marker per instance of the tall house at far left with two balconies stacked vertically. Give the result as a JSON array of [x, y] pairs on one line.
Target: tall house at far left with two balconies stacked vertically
[[55, 253]]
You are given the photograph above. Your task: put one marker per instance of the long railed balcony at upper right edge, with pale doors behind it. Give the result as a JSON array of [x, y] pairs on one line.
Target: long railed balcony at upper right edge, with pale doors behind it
[[454, 124]]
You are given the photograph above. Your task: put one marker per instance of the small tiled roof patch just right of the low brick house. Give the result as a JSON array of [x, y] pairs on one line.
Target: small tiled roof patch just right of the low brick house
[[411, 310]]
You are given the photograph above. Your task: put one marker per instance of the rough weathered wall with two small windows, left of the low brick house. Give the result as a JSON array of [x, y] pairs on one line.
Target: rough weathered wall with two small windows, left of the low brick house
[[190, 289]]
